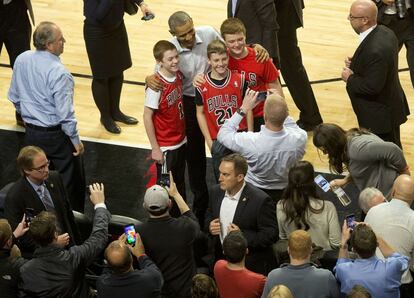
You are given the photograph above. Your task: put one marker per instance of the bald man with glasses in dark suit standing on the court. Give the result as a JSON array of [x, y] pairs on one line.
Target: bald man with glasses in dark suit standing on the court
[[371, 75]]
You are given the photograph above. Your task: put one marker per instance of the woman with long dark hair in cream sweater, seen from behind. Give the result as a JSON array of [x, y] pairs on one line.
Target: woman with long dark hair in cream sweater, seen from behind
[[301, 208]]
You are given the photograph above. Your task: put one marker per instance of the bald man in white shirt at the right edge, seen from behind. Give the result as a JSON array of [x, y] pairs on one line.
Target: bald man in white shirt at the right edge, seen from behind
[[395, 223]]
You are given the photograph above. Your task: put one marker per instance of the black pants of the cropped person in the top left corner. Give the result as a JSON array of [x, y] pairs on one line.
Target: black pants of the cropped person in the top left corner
[[15, 29]]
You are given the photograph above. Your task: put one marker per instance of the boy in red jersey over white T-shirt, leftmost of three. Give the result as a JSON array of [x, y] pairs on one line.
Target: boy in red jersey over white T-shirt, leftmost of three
[[164, 117]]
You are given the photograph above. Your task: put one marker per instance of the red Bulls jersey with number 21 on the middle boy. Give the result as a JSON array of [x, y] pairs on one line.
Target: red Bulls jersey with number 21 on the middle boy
[[221, 102]]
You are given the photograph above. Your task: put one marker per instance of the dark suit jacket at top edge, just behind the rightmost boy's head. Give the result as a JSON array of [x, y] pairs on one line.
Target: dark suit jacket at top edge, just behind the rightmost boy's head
[[259, 18]]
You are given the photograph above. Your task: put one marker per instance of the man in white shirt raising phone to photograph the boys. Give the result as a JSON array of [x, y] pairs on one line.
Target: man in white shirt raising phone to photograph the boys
[[272, 151]]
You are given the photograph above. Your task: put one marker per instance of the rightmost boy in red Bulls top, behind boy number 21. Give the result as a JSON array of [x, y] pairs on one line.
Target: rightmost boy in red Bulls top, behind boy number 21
[[259, 76]]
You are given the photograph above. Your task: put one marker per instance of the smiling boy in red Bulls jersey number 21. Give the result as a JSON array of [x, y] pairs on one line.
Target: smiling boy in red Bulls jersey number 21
[[217, 99]]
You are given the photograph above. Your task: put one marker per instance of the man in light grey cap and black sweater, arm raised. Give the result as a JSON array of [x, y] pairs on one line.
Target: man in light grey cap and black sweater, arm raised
[[169, 241]]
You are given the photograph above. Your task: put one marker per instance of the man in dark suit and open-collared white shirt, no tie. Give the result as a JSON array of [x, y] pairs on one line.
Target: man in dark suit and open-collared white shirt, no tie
[[237, 205]]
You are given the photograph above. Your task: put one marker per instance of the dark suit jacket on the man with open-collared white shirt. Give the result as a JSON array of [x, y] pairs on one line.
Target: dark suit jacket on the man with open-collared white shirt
[[256, 217]]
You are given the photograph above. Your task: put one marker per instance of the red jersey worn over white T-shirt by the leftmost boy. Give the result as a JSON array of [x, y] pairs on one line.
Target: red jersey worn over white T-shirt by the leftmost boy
[[168, 119]]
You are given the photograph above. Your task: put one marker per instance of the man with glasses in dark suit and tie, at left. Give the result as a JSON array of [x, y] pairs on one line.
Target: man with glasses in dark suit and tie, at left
[[39, 190]]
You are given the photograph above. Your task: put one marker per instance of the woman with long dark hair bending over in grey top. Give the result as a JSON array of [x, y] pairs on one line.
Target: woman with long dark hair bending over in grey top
[[370, 161]]
